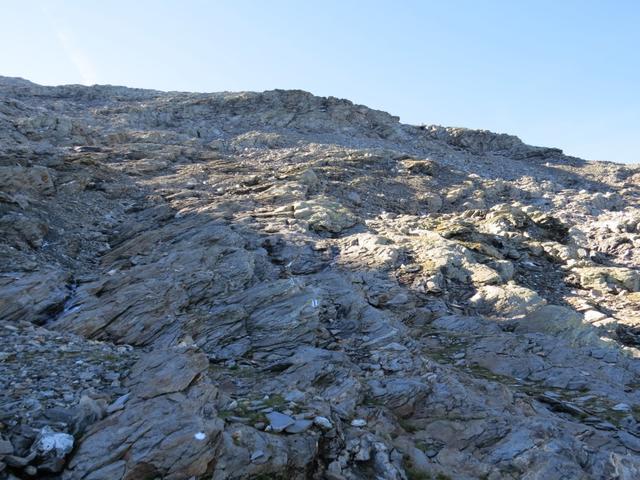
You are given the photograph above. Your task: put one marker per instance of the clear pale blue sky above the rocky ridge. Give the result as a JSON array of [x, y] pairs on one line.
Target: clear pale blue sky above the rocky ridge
[[563, 73]]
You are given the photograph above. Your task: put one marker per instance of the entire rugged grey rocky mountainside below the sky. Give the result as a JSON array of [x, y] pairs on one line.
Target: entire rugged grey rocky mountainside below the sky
[[277, 285]]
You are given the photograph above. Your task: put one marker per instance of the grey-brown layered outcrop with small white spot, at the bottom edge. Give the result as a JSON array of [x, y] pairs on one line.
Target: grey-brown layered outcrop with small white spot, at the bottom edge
[[166, 429]]
